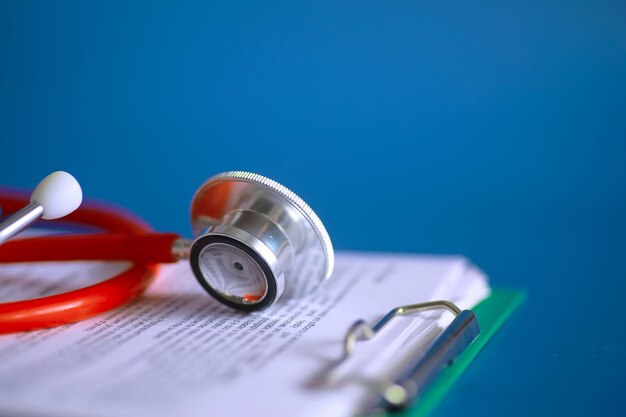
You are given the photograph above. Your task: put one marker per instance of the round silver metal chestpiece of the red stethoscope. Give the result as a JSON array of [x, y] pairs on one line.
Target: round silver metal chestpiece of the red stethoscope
[[256, 241]]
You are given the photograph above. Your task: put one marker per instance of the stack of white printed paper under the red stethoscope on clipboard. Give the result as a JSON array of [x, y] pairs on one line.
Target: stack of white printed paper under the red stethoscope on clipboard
[[178, 352]]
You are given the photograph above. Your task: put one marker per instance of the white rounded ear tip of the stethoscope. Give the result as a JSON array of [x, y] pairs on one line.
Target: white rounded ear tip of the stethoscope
[[59, 194]]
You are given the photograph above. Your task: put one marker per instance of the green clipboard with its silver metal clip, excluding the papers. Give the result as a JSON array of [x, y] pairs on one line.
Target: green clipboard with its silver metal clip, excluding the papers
[[433, 374]]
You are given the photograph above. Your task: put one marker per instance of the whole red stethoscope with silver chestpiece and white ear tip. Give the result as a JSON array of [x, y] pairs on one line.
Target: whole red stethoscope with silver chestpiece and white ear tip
[[255, 242]]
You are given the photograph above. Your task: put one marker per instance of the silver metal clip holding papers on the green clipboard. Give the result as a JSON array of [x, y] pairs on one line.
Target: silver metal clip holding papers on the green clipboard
[[414, 380]]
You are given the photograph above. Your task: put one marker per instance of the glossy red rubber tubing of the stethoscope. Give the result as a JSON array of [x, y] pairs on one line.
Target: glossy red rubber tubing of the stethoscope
[[125, 237]]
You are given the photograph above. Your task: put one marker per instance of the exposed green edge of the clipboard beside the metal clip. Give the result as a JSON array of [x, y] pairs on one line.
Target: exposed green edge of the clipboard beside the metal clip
[[492, 313]]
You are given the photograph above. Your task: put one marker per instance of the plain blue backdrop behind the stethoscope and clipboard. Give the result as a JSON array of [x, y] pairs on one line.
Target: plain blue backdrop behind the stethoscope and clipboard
[[493, 129]]
